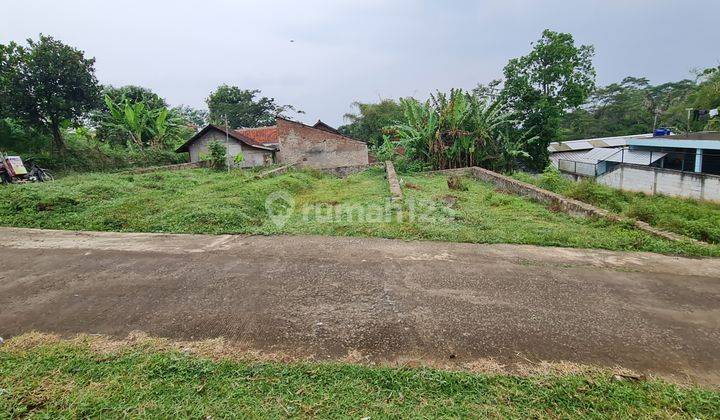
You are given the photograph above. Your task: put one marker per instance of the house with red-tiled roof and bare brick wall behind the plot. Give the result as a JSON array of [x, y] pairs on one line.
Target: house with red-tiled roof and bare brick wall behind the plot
[[317, 146]]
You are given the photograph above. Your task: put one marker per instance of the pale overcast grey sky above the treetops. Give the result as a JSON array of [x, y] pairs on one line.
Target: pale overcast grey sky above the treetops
[[363, 50]]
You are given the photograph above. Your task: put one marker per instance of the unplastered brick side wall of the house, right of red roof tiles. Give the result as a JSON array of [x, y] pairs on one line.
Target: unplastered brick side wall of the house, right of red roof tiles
[[316, 148]]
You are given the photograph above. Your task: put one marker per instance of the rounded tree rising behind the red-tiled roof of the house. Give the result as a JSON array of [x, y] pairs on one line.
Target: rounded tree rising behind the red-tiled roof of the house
[[243, 108]]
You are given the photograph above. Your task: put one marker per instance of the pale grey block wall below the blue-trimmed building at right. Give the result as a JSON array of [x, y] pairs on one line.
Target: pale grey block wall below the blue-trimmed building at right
[[651, 180]]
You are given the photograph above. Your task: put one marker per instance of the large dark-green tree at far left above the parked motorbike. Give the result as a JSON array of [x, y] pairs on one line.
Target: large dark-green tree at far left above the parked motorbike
[[47, 84]]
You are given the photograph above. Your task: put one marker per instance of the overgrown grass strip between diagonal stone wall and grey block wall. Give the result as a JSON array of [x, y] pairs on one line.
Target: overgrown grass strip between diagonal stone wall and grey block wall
[[693, 218]]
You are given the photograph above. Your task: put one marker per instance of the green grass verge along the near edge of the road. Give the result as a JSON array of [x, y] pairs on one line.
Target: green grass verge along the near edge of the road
[[72, 380]]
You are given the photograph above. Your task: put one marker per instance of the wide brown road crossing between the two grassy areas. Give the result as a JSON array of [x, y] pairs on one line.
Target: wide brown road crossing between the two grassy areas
[[386, 299]]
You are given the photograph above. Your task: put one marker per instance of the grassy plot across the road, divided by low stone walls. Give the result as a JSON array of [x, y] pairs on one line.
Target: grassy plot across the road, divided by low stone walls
[[205, 201]]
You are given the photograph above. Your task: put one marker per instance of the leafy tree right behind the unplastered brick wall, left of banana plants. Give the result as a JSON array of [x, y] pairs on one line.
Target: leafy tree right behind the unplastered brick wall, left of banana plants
[[367, 123]]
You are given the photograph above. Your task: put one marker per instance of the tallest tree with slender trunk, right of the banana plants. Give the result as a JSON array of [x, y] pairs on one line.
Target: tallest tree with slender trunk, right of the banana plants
[[555, 76]]
